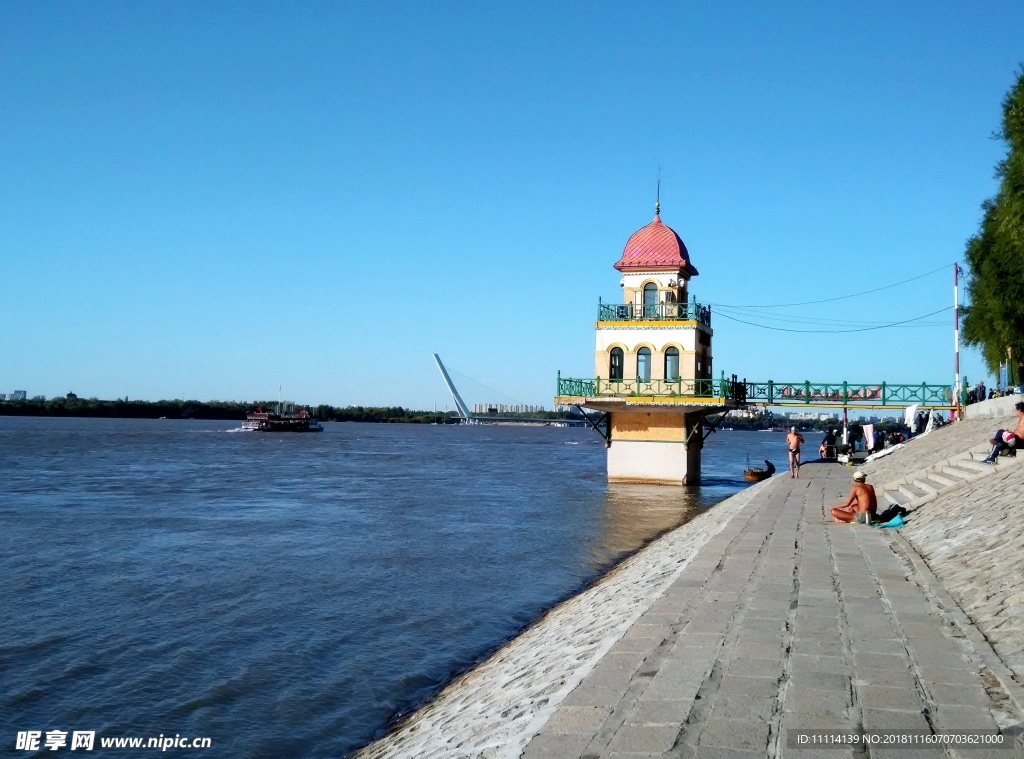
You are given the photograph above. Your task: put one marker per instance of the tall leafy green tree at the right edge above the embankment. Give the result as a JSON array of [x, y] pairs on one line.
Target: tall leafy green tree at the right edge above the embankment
[[995, 320]]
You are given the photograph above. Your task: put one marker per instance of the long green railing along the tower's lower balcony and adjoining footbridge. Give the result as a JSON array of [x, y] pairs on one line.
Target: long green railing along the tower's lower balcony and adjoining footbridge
[[766, 394]]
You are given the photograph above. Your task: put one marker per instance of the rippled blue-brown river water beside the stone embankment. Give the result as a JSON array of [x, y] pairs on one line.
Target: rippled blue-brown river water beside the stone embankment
[[289, 596]]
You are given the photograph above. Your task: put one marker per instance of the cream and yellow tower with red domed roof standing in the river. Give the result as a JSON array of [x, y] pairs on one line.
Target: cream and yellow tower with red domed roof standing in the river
[[653, 365]]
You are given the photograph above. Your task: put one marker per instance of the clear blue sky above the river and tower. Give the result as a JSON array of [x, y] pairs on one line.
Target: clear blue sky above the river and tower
[[214, 200]]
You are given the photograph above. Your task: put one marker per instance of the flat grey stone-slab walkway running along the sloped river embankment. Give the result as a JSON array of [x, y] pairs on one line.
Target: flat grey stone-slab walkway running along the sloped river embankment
[[788, 620]]
